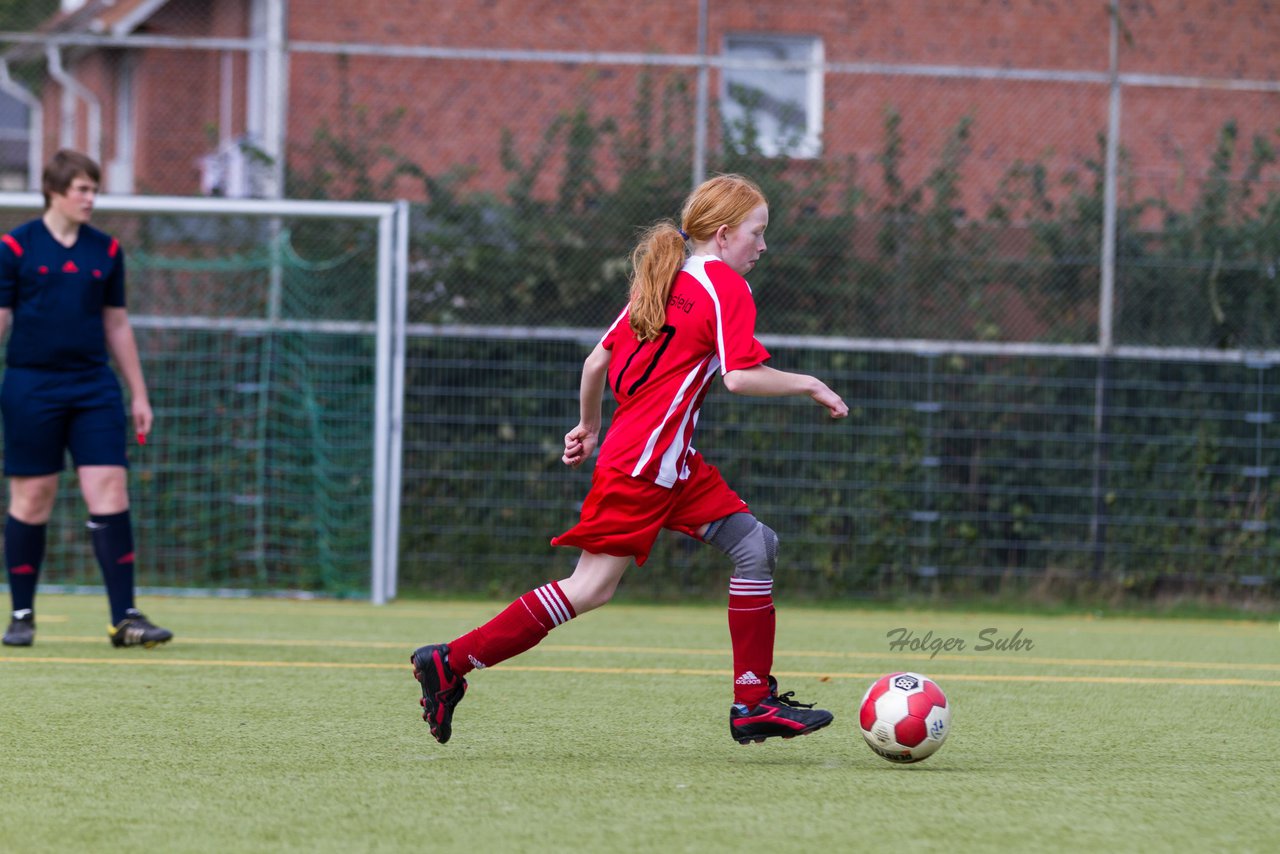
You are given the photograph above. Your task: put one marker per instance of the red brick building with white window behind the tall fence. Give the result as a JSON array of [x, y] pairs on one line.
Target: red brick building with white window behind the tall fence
[[154, 88]]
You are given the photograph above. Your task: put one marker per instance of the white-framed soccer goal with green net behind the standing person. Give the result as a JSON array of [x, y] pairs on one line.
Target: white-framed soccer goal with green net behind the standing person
[[272, 337]]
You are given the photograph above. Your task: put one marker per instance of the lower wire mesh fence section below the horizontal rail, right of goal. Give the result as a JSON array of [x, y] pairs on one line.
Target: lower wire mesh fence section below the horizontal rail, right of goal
[[990, 473]]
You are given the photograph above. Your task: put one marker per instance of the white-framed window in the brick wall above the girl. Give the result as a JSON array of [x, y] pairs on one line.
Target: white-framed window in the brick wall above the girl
[[774, 111]]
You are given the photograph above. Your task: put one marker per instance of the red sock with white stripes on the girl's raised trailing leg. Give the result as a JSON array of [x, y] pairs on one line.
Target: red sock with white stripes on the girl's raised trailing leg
[[518, 629]]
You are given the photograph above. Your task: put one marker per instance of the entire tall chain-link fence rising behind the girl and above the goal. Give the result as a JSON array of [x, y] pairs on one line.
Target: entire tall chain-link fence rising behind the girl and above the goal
[[1036, 243]]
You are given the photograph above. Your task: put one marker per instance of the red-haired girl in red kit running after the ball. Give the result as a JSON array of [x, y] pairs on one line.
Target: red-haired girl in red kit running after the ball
[[691, 318]]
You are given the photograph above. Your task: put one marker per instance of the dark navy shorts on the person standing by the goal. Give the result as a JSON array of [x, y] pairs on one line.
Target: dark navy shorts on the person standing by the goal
[[51, 413]]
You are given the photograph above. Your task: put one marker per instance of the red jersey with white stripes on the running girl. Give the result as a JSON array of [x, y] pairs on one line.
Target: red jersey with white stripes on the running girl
[[661, 385]]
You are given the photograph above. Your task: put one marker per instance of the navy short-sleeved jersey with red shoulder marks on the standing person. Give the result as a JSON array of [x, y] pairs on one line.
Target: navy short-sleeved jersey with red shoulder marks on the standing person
[[58, 295]]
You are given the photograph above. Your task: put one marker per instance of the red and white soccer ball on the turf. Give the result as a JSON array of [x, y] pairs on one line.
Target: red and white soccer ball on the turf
[[904, 718]]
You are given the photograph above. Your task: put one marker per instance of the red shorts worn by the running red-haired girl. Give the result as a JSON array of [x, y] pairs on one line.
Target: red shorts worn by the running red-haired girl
[[623, 515]]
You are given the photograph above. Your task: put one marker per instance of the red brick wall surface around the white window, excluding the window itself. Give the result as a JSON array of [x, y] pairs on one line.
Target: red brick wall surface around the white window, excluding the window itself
[[451, 115]]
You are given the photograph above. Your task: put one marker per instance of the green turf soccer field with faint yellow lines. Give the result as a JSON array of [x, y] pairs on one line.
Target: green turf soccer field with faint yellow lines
[[278, 725]]
